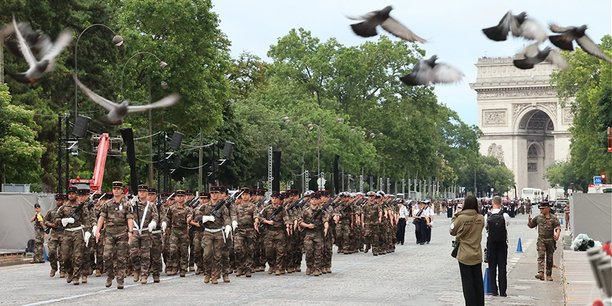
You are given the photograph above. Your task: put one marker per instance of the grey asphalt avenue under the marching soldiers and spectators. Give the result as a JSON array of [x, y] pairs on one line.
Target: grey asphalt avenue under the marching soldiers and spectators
[[413, 275]]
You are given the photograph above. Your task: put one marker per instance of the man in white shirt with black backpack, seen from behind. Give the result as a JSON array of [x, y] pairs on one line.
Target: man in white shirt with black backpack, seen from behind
[[496, 223]]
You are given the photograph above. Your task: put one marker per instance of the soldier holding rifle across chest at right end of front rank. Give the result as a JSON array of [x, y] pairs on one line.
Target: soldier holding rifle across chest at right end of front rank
[[314, 222]]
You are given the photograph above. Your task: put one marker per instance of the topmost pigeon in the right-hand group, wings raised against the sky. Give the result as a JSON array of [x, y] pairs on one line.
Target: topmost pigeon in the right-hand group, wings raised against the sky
[[519, 25]]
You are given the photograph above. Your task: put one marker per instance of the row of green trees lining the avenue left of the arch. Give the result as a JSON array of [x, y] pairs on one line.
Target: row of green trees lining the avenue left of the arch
[[313, 101]]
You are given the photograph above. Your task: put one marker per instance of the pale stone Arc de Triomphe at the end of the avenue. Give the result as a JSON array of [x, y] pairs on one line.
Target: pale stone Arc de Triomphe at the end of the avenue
[[522, 121]]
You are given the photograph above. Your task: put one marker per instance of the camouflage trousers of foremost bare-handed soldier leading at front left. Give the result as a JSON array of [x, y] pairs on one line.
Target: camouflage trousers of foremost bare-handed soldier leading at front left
[[116, 250]]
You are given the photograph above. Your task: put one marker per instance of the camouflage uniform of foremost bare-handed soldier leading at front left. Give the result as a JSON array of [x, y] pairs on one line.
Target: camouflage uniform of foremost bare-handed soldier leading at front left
[[116, 248]]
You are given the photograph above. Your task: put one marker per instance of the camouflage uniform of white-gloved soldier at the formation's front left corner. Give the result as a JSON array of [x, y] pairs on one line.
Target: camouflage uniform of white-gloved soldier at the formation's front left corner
[[73, 243]]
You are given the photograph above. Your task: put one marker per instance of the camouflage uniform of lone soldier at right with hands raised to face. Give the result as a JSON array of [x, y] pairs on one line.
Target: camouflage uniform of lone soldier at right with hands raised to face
[[545, 243]]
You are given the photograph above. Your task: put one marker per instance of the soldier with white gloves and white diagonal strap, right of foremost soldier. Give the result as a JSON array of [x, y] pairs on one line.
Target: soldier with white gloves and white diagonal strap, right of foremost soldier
[[145, 213]]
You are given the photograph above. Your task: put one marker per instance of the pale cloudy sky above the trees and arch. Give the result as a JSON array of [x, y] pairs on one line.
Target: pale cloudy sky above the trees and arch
[[452, 29]]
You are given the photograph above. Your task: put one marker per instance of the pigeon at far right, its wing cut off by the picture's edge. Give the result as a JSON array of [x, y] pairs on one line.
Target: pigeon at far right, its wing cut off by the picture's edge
[[568, 34]]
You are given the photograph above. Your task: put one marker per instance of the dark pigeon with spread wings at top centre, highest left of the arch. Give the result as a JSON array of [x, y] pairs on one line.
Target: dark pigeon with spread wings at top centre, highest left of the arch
[[367, 28]]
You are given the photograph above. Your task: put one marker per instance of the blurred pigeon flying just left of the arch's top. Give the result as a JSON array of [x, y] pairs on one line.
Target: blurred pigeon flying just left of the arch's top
[[427, 72]]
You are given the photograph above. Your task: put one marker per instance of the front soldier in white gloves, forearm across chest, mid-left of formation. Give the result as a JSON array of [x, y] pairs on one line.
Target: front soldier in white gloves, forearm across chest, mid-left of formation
[[217, 229]]
